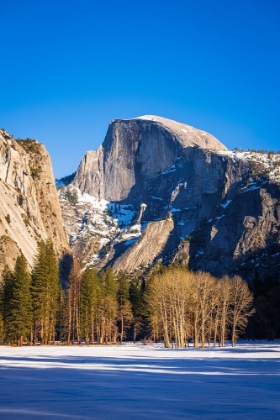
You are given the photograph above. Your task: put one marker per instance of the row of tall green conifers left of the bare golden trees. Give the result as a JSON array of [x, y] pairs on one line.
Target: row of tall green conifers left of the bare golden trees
[[93, 307]]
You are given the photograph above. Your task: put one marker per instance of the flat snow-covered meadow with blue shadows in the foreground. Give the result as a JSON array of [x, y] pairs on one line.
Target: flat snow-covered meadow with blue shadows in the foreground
[[140, 382]]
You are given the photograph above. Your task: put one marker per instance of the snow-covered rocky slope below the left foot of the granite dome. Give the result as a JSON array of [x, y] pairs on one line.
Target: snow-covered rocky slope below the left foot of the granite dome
[[96, 223]]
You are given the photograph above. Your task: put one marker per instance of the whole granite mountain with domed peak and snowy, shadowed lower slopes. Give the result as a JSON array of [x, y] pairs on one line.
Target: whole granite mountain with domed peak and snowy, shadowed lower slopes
[[164, 190]]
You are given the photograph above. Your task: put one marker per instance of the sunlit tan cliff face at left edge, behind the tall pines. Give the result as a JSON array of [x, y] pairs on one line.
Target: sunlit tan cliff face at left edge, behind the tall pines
[[29, 206]]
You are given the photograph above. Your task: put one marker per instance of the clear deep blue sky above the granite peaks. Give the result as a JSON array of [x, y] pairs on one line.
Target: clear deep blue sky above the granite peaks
[[68, 67]]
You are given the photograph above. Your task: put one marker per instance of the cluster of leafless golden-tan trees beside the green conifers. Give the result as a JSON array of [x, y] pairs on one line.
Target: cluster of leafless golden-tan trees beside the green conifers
[[184, 305]]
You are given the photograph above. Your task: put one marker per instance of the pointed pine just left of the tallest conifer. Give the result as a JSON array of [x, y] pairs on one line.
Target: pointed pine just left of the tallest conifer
[[18, 319]]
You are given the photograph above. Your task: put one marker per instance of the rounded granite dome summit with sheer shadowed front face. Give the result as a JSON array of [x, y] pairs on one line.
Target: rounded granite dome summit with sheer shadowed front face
[[133, 152]]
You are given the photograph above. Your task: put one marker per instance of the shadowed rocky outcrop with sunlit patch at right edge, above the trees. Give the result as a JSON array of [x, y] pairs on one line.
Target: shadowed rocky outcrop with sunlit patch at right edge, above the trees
[[244, 239]]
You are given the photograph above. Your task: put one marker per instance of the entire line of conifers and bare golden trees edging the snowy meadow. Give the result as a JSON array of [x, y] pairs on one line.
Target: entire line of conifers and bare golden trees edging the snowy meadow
[[172, 304]]
